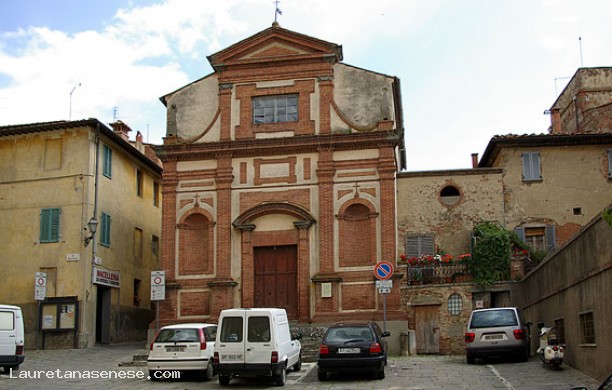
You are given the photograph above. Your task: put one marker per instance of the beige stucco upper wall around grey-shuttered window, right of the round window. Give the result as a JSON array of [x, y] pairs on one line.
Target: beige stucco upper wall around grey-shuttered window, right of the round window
[[574, 177]]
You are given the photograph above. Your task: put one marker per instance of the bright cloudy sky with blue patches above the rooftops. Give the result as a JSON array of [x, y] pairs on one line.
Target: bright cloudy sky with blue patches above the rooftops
[[469, 69]]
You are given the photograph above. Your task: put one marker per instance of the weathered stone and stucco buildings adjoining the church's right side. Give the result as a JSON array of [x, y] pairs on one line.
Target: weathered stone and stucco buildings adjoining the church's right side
[[545, 187]]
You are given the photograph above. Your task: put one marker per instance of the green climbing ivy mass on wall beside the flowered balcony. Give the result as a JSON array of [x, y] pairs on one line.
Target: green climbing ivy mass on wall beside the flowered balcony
[[490, 261]]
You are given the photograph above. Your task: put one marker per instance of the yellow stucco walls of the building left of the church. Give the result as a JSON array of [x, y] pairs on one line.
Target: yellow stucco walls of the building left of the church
[[60, 175]]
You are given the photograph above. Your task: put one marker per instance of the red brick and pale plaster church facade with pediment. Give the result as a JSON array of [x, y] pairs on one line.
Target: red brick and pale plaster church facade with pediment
[[279, 184]]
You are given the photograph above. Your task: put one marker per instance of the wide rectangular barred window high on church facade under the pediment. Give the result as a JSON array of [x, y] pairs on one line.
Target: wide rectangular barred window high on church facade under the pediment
[[275, 109]]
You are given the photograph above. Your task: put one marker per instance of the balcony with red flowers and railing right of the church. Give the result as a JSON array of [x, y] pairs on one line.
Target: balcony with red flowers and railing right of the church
[[436, 269]]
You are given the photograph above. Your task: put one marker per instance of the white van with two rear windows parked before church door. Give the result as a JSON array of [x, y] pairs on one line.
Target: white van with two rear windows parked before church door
[[256, 342]]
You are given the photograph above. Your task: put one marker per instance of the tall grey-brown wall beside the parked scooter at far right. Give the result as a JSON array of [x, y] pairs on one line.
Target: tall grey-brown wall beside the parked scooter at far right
[[575, 280]]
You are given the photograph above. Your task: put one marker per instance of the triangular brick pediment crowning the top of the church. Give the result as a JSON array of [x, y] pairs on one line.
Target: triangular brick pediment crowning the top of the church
[[275, 44]]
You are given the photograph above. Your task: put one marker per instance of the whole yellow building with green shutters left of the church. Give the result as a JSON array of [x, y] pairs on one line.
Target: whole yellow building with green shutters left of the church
[[77, 288]]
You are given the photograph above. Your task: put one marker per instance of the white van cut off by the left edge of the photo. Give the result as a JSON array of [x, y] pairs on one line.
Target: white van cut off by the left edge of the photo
[[11, 337]]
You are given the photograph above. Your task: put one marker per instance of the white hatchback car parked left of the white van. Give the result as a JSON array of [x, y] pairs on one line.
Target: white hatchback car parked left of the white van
[[183, 347]]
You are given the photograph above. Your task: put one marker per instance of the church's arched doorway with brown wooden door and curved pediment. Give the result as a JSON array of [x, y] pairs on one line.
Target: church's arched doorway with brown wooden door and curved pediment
[[276, 257]]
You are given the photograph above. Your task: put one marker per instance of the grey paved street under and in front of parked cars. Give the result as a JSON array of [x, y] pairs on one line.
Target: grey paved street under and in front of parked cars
[[57, 369]]
